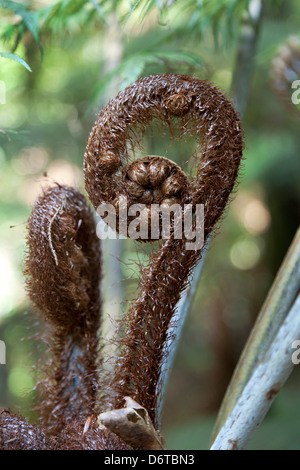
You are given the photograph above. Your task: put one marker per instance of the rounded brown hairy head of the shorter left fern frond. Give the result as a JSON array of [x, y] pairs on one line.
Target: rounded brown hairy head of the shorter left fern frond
[[63, 259]]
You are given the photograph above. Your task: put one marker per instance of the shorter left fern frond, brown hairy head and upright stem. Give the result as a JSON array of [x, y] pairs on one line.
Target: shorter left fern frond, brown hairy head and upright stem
[[63, 274]]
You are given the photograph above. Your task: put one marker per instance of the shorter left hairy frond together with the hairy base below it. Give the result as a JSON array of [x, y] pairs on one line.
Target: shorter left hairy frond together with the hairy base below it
[[63, 273]]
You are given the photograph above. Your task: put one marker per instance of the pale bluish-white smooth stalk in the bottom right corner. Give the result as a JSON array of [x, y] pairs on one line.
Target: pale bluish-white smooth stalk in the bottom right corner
[[263, 386]]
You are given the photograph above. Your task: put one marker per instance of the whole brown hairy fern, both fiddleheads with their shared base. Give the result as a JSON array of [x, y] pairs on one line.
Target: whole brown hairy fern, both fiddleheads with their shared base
[[63, 259]]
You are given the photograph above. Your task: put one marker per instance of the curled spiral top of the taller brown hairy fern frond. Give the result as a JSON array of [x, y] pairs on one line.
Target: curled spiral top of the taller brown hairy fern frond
[[196, 109]]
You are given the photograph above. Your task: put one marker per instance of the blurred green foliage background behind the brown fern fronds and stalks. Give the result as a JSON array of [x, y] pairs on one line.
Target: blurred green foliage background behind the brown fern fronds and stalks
[[77, 55]]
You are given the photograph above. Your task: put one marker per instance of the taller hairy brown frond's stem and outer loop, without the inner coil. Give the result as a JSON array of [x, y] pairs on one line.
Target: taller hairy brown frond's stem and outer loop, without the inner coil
[[194, 108]]
